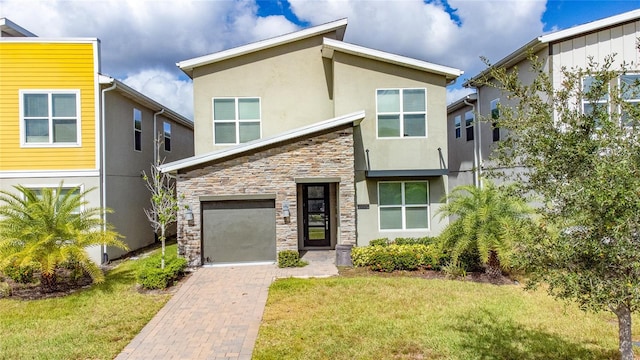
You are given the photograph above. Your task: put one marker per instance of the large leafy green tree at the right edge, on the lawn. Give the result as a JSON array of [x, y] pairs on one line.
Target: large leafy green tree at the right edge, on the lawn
[[580, 145]]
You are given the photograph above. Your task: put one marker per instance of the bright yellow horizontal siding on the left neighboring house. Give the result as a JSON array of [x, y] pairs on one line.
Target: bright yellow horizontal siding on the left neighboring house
[[46, 66]]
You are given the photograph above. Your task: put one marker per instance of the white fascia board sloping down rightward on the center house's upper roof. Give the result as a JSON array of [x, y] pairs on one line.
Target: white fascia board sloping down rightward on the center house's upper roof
[[331, 45]]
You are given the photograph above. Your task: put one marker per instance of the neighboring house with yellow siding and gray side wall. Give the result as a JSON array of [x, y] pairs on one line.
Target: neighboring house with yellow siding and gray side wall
[[62, 121]]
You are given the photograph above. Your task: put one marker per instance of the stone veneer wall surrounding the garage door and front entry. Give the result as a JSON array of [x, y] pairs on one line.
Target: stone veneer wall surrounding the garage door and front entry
[[273, 171]]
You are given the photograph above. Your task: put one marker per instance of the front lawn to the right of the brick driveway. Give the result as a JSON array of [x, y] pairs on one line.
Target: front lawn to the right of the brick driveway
[[412, 318]]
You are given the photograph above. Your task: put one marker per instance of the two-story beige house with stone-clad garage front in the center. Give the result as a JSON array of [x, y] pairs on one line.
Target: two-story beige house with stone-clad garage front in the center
[[306, 142]]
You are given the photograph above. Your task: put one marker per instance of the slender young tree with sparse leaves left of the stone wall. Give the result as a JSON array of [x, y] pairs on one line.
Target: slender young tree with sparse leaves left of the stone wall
[[164, 204]]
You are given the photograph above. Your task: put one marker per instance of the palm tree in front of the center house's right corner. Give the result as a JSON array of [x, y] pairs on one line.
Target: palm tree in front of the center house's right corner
[[488, 220]]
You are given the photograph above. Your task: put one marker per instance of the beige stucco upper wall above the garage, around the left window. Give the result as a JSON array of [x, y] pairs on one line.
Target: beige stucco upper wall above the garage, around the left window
[[291, 80]]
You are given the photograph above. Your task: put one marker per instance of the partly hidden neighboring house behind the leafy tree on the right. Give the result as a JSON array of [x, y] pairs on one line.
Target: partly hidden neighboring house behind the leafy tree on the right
[[569, 48]]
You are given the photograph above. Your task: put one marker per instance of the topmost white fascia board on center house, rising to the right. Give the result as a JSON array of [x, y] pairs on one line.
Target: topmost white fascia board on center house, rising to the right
[[188, 65]]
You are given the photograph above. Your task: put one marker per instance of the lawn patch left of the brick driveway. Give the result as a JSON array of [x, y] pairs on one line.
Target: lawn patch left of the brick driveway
[[96, 323]]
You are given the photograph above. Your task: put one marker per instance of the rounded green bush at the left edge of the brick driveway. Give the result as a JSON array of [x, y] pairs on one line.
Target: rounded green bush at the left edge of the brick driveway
[[151, 276]]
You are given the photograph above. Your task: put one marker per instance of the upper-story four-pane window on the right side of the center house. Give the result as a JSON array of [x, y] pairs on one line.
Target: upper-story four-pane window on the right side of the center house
[[401, 113]]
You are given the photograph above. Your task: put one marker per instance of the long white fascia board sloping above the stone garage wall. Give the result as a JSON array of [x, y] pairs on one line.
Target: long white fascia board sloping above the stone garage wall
[[354, 118]]
